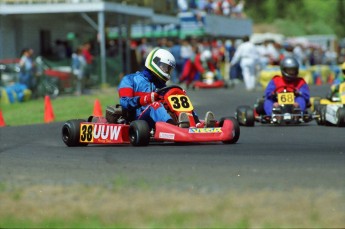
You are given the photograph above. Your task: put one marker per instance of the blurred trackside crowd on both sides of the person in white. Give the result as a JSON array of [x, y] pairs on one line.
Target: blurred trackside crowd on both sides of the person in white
[[269, 53]]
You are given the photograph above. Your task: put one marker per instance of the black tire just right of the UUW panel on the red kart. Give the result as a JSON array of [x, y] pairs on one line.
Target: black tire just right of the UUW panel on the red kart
[[139, 133]]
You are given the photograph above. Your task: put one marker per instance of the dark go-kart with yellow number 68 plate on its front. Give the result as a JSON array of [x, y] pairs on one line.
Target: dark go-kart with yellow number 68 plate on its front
[[284, 114]]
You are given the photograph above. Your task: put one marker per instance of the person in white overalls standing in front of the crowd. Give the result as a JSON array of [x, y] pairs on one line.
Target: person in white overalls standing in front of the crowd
[[247, 56]]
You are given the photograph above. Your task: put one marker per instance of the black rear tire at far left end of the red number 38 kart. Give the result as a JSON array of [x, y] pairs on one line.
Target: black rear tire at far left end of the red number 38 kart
[[71, 133]]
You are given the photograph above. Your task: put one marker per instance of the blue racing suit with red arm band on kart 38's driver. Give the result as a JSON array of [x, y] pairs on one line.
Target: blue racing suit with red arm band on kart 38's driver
[[138, 84]]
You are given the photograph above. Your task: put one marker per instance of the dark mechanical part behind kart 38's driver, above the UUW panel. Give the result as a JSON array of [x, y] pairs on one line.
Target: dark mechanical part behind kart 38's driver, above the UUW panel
[[116, 114]]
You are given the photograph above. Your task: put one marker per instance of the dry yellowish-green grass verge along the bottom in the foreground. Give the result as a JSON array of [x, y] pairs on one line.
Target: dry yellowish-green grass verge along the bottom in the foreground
[[97, 207]]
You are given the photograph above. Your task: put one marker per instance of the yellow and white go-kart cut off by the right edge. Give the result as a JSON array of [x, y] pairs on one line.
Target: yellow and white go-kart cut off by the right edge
[[330, 110]]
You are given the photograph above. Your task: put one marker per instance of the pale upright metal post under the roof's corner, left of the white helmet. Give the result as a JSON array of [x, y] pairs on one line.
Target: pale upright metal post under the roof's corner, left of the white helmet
[[102, 48]]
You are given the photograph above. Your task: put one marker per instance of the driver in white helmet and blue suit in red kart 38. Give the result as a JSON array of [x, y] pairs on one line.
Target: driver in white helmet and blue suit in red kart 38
[[137, 91]]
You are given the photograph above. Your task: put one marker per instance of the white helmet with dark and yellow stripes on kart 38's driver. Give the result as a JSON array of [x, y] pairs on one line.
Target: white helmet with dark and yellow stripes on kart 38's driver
[[161, 62]]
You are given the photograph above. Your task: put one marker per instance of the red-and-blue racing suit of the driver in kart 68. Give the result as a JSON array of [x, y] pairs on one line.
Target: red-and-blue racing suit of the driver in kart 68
[[278, 84]]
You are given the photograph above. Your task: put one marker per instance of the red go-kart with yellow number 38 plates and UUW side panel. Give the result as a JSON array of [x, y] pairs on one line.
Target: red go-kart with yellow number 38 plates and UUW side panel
[[120, 127]]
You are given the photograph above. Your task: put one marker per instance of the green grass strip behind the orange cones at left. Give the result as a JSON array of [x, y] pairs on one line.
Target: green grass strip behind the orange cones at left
[[65, 107]]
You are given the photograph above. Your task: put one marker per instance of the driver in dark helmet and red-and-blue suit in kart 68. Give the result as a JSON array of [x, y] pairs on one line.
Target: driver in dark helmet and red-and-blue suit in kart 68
[[290, 82]]
